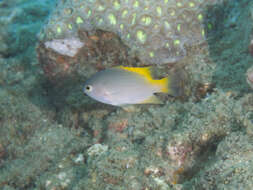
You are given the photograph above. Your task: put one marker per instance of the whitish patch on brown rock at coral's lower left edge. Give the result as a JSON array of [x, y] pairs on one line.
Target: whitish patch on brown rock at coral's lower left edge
[[67, 46]]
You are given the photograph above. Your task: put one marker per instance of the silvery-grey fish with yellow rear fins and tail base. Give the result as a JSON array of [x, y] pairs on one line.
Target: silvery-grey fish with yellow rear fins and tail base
[[117, 86]]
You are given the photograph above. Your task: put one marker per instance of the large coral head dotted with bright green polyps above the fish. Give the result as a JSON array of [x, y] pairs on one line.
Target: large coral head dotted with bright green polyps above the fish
[[157, 31]]
